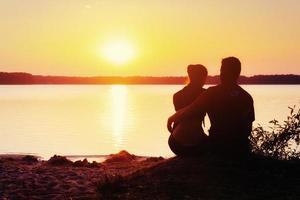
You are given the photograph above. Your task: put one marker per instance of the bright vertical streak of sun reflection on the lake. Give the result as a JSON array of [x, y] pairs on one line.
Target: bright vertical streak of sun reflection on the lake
[[119, 109]]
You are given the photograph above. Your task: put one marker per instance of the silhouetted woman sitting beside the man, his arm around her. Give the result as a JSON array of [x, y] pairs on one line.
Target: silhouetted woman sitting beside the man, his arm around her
[[188, 133]]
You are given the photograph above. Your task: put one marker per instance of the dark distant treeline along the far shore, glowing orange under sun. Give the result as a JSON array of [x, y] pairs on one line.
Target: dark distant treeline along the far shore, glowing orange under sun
[[26, 78]]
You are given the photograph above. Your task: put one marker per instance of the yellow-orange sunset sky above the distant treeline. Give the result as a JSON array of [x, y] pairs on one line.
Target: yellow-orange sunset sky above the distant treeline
[[148, 37]]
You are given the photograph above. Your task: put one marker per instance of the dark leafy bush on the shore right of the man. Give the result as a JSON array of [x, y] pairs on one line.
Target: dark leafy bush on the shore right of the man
[[281, 141]]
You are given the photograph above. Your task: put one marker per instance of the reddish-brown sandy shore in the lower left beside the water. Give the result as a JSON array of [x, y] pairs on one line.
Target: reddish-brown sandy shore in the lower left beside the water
[[26, 177]]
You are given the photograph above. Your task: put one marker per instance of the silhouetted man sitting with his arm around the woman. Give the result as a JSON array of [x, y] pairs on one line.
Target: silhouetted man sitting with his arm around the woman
[[230, 110]]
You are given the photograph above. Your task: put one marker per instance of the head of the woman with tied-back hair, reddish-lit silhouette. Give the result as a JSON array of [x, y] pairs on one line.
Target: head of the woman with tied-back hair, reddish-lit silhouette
[[197, 74]]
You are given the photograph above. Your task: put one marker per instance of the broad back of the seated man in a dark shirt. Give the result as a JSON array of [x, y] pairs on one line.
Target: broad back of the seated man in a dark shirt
[[231, 113]]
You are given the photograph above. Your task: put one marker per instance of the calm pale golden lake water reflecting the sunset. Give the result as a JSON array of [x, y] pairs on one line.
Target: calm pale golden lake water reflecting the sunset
[[103, 119]]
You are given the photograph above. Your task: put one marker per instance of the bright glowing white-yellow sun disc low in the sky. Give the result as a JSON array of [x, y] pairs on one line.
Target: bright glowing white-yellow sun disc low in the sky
[[118, 52]]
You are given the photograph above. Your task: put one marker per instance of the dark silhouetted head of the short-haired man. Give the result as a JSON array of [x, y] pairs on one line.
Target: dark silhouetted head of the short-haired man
[[230, 70]]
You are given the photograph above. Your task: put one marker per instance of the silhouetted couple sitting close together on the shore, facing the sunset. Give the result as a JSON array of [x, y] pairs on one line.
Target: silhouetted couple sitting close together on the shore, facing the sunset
[[229, 108]]
